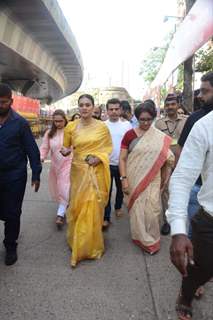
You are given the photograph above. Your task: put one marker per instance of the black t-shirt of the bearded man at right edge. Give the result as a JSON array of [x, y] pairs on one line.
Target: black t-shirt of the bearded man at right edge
[[192, 119]]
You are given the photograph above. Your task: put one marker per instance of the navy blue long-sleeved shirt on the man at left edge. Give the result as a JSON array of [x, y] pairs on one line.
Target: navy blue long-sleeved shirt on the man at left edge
[[17, 144]]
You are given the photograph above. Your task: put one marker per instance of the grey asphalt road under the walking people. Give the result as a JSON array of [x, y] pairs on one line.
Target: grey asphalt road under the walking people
[[125, 284]]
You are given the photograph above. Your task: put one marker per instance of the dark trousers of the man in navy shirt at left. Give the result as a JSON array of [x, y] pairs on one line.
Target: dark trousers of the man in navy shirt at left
[[11, 198]]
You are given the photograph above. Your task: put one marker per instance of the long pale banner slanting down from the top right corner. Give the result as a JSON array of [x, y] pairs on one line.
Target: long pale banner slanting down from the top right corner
[[193, 33]]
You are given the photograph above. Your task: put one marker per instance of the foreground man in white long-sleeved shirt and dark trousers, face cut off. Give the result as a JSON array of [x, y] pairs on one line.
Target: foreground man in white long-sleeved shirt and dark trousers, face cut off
[[194, 259]]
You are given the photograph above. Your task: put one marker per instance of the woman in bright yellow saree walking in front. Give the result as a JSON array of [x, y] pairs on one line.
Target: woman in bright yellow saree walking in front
[[90, 182]]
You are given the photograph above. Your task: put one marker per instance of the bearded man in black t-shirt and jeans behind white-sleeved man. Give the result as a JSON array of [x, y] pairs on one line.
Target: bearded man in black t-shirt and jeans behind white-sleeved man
[[192, 119]]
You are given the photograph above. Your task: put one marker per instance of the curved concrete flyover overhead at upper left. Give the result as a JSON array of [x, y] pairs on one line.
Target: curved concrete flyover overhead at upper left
[[39, 55]]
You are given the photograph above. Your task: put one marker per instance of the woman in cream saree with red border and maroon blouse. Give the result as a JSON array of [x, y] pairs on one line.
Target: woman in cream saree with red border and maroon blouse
[[145, 165]]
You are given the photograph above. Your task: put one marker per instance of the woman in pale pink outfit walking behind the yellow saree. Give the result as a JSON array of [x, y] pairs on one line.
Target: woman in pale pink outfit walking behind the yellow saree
[[59, 175]]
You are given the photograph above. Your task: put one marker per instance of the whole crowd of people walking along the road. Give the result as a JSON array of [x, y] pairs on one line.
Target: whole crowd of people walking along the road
[[161, 167]]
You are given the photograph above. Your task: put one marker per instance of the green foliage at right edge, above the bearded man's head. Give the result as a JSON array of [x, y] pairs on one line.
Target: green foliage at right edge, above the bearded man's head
[[204, 59]]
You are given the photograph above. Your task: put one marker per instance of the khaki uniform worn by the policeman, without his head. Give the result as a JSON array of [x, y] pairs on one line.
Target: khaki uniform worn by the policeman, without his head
[[172, 128]]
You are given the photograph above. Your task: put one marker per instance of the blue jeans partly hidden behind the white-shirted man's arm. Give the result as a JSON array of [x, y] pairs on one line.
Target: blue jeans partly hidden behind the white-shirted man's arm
[[193, 206]]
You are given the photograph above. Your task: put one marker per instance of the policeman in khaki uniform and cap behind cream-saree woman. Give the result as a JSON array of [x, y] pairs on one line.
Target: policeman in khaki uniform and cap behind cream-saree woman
[[171, 124]]
